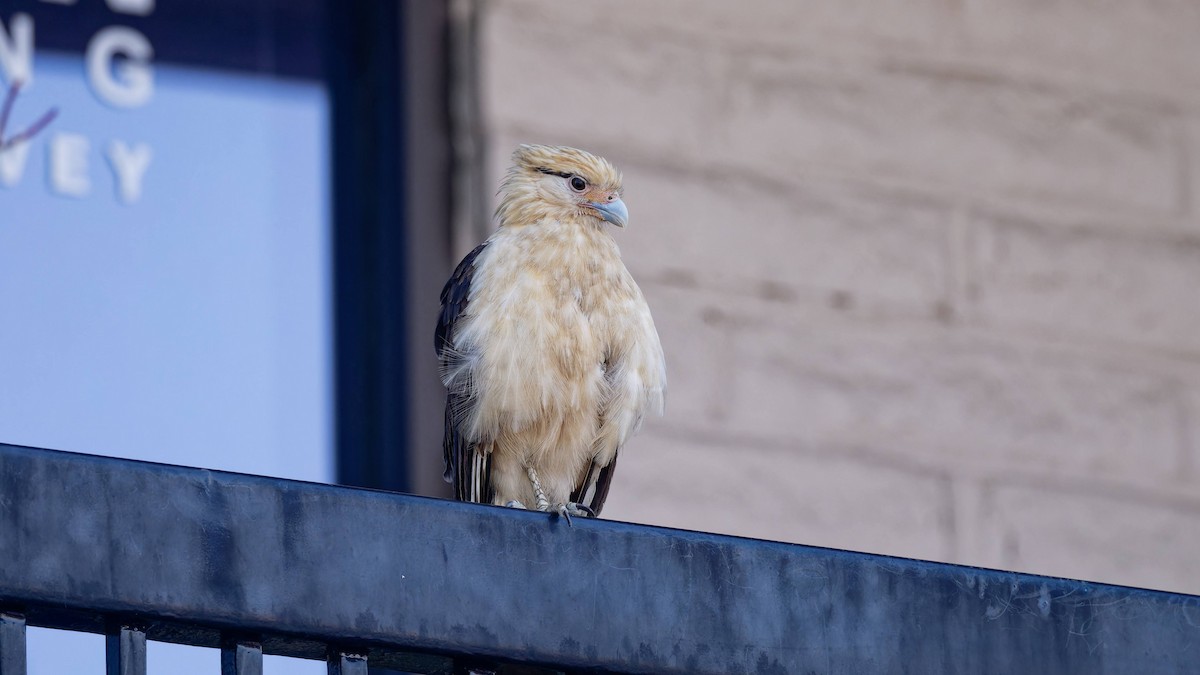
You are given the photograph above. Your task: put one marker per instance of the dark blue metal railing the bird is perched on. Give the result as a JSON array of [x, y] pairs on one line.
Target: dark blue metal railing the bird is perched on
[[255, 565]]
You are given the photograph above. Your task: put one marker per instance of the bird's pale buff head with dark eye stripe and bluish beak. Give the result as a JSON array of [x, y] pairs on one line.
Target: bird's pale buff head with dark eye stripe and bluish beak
[[563, 184]]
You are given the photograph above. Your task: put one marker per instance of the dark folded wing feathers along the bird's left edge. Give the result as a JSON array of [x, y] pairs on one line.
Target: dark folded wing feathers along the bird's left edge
[[458, 452]]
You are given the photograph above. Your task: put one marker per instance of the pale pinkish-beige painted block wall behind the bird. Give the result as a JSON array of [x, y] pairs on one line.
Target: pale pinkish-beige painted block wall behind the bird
[[927, 273]]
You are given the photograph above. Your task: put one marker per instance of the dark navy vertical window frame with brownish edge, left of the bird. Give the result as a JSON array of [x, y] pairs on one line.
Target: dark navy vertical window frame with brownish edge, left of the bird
[[388, 74]]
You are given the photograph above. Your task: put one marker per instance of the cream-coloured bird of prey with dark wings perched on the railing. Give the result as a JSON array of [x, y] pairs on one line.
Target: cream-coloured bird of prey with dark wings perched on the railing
[[547, 345]]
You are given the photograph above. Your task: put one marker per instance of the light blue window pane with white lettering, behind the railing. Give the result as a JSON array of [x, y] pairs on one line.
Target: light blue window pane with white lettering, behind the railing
[[165, 243]]
